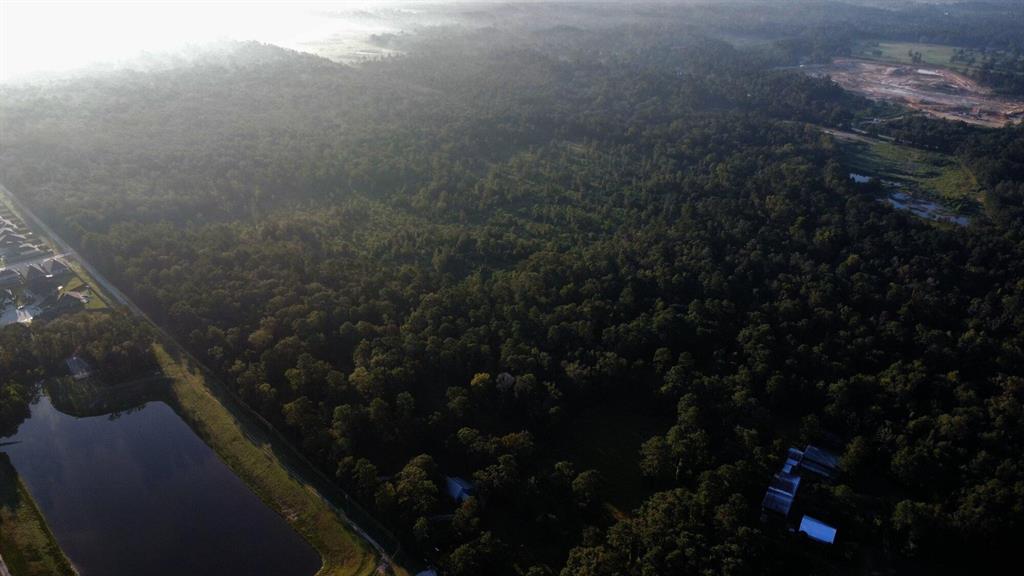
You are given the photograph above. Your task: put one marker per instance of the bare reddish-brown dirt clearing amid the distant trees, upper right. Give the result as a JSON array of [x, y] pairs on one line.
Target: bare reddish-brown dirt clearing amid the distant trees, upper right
[[934, 91]]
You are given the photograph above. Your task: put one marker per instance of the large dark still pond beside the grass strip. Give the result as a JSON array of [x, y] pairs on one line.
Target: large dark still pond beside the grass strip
[[141, 495]]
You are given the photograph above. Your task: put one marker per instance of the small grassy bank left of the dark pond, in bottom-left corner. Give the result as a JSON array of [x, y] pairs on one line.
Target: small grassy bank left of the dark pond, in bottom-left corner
[[27, 545]]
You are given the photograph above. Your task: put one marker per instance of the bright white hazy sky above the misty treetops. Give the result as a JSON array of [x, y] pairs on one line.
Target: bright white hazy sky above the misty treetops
[[40, 36]]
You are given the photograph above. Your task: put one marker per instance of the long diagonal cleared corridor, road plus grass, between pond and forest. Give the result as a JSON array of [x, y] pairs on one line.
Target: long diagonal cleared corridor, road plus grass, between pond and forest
[[263, 460]]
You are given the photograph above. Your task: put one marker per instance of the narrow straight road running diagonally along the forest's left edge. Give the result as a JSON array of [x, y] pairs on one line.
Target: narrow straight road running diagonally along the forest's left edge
[[123, 300]]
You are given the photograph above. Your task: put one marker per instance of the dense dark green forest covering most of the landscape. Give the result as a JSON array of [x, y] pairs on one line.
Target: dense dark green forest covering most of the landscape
[[609, 276]]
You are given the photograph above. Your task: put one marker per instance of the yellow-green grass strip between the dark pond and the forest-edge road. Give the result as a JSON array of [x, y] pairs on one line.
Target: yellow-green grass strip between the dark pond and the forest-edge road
[[344, 553]]
